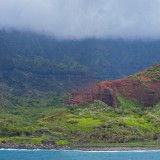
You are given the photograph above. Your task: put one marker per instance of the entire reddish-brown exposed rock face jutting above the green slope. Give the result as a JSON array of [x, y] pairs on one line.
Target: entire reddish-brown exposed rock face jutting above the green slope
[[146, 93]]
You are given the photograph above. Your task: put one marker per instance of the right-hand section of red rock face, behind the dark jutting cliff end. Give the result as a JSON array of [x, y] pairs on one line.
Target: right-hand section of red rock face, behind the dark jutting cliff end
[[135, 89]]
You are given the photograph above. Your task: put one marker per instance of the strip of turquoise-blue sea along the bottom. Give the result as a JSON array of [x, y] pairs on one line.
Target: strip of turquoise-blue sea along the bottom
[[77, 155]]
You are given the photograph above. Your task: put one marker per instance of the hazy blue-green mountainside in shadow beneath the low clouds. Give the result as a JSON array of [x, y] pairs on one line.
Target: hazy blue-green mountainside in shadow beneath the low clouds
[[32, 65]]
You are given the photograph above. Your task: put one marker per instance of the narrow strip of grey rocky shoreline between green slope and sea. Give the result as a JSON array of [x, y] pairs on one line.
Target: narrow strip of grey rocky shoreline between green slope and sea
[[80, 148]]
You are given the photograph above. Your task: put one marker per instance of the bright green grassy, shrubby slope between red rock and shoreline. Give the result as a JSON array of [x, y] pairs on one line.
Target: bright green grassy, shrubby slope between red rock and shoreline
[[36, 122]]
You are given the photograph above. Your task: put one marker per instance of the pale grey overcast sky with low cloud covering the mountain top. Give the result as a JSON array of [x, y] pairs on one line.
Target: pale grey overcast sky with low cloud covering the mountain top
[[69, 19]]
